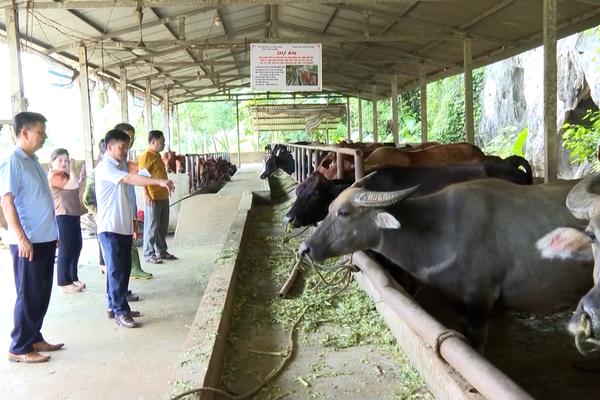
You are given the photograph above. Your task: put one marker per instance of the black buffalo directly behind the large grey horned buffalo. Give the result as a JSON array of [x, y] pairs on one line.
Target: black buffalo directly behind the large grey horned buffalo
[[314, 194]]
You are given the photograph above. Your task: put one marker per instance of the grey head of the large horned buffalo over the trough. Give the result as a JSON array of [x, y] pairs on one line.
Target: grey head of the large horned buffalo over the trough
[[356, 221]]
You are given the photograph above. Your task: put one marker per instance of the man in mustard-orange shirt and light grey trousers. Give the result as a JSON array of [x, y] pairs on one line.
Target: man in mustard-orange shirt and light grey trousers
[[156, 202]]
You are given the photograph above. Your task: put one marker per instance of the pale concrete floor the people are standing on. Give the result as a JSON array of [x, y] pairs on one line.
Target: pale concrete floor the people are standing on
[[101, 360]]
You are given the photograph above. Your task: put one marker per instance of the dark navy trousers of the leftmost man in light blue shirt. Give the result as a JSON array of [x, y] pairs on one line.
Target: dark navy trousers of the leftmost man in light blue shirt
[[33, 281]]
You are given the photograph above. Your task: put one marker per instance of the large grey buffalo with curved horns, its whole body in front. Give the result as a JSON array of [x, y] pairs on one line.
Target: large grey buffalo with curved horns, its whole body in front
[[473, 241]]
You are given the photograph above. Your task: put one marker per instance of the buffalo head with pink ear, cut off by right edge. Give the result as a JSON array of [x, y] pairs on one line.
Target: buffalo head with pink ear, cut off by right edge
[[583, 201]]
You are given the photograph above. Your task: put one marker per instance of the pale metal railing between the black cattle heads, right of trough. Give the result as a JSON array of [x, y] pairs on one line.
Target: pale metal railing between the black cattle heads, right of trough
[[305, 154]]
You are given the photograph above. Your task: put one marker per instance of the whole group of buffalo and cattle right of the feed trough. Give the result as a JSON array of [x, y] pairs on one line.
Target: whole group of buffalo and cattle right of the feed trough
[[472, 226]]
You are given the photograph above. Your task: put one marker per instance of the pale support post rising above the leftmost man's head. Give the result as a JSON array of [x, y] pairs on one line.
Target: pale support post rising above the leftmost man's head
[[17, 94]]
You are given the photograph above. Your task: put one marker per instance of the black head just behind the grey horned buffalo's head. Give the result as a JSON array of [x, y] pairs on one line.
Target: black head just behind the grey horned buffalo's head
[[313, 196]]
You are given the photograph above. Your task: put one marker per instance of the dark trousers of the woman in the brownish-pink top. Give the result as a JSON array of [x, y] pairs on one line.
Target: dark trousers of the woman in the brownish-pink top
[[69, 233]]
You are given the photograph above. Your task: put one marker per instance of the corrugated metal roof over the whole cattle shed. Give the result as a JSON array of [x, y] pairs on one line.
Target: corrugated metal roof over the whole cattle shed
[[498, 29]]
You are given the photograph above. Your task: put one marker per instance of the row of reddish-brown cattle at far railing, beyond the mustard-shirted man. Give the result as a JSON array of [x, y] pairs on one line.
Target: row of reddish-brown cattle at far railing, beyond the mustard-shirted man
[[207, 173]]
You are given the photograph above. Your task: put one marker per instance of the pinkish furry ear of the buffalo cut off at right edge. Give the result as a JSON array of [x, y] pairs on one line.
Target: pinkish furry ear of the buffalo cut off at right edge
[[566, 244]]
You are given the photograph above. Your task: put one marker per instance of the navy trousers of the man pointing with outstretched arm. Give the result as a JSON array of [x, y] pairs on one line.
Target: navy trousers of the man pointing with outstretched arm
[[117, 254]]
